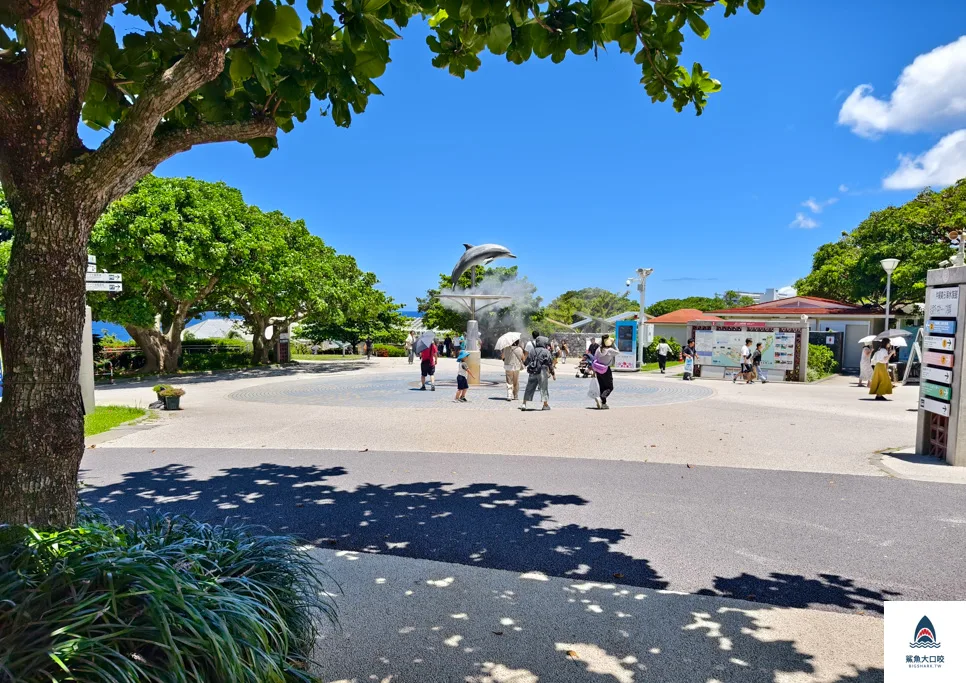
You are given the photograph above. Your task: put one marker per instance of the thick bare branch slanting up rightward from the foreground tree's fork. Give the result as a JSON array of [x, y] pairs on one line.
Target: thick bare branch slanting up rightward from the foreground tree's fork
[[205, 59]]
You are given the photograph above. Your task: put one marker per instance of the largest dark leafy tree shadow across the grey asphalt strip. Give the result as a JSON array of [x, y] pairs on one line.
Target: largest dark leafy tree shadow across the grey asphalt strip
[[484, 525]]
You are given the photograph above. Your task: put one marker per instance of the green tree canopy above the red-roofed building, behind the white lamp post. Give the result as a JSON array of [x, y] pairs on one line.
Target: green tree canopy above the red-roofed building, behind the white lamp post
[[849, 269]]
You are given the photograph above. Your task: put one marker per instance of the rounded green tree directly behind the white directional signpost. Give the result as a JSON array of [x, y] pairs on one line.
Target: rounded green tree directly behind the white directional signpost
[[178, 243]]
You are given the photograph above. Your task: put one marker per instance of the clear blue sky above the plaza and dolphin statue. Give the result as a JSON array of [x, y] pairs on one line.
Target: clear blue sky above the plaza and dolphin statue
[[574, 169]]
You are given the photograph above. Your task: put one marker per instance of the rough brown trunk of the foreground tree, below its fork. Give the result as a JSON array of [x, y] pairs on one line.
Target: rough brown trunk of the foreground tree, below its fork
[[41, 415]]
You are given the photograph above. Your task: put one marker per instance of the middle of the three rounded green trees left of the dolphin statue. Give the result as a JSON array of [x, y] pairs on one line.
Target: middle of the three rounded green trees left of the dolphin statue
[[295, 277]]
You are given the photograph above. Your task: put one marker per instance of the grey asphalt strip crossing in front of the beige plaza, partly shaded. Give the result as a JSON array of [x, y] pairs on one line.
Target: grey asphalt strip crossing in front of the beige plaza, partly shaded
[[836, 542]]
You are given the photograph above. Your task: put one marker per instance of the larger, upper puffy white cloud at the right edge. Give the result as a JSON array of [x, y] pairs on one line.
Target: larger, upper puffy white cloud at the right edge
[[929, 95]]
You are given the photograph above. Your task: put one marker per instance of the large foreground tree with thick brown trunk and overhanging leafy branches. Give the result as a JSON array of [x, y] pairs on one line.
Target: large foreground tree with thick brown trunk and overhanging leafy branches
[[174, 74]]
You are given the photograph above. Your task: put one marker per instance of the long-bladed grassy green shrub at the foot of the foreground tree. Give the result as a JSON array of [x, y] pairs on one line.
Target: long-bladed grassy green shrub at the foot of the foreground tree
[[166, 600]]
